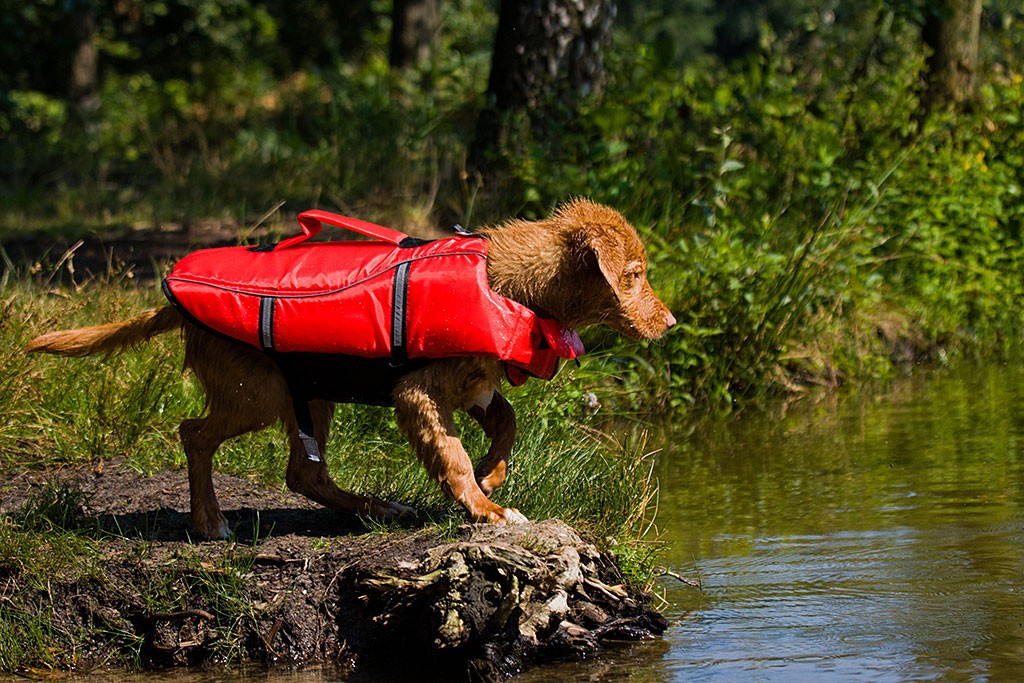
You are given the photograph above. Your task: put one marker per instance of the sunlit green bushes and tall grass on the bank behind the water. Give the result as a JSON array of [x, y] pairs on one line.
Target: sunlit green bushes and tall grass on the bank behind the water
[[804, 224]]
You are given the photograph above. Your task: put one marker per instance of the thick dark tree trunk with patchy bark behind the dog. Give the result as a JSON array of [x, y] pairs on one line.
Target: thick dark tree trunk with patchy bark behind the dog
[[548, 55]]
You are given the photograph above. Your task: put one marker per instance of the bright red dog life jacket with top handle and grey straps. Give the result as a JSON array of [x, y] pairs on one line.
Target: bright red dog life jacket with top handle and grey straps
[[392, 297]]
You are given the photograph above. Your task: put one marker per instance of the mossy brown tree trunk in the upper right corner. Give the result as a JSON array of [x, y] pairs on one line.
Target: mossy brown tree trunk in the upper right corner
[[952, 31]]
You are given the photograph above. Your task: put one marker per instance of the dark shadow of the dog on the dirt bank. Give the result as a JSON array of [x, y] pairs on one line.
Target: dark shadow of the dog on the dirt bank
[[248, 525]]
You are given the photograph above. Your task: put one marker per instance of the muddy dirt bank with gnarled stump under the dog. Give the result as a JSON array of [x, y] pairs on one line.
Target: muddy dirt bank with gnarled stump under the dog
[[303, 585]]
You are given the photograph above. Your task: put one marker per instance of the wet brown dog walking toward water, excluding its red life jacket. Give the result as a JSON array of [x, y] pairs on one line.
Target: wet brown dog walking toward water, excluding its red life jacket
[[584, 266]]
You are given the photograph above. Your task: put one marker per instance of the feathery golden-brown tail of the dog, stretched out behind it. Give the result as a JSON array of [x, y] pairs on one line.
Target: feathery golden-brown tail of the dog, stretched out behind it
[[108, 338]]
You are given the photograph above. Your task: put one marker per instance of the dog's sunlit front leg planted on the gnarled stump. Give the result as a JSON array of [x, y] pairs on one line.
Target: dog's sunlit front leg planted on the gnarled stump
[[429, 423]]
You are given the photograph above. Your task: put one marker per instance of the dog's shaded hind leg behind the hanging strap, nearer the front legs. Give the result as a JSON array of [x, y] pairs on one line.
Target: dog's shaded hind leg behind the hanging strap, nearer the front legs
[[312, 479]]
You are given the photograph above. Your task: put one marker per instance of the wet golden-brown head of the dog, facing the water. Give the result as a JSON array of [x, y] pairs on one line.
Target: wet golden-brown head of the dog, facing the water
[[612, 270]]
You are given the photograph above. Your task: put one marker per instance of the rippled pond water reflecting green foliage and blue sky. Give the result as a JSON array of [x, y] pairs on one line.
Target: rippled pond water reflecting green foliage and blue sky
[[876, 539]]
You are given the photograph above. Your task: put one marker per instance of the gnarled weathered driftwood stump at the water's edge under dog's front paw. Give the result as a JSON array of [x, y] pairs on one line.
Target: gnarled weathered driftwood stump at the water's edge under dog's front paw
[[502, 600]]
